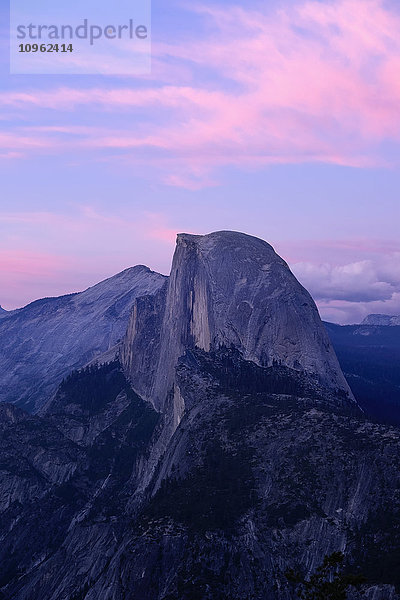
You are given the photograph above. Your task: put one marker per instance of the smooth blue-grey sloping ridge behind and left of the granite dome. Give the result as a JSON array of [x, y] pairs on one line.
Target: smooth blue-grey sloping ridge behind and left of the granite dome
[[44, 341]]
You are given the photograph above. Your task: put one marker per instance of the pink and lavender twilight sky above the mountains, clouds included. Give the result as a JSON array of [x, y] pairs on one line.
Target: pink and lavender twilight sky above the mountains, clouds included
[[280, 119]]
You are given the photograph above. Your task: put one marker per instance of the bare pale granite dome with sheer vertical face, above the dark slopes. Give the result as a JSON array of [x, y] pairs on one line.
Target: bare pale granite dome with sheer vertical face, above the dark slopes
[[227, 289]]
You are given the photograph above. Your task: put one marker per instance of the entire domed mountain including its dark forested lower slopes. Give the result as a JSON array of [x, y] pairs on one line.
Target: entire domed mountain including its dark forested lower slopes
[[215, 449]]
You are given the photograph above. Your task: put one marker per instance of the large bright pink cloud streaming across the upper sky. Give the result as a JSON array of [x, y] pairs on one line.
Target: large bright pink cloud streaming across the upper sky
[[313, 82]]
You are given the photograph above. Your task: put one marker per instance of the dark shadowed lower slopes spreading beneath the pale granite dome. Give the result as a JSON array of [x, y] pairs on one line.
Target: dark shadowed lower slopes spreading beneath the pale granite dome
[[261, 475]]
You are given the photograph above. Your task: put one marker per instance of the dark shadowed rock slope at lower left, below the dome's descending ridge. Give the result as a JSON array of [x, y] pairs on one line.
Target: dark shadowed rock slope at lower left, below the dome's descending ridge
[[55, 482]]
